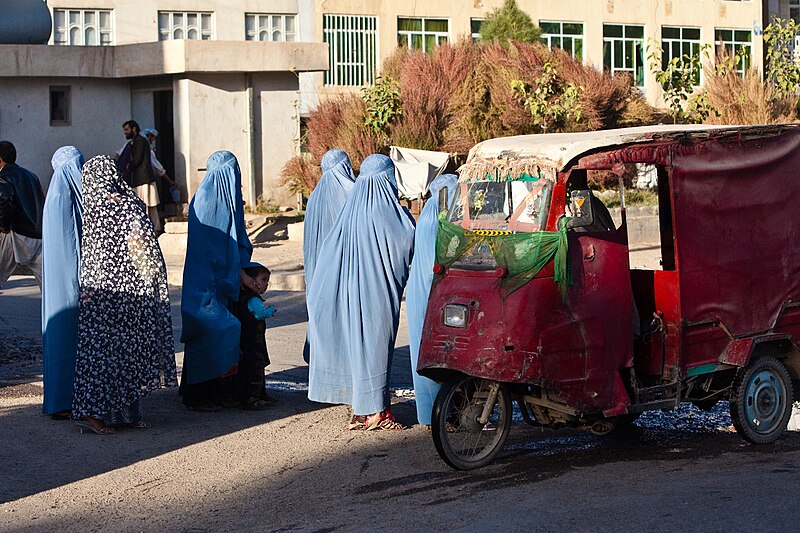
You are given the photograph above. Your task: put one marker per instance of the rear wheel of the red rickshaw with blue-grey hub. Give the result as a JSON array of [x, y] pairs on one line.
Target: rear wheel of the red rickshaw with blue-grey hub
[[761, 400]]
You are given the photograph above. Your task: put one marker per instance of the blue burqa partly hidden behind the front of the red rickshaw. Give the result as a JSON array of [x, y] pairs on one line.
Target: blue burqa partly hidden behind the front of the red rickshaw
[[419, 287]]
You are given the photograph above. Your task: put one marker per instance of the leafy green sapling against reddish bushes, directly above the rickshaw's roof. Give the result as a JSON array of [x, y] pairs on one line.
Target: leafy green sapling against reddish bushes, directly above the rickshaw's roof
[[550, 101]]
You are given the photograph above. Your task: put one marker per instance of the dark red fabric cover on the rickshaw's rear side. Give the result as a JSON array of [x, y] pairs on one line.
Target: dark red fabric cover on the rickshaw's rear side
[[737, 231]]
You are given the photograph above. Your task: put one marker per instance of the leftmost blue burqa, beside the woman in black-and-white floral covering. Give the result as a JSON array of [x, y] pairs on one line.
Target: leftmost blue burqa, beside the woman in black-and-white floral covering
[[61, 245]]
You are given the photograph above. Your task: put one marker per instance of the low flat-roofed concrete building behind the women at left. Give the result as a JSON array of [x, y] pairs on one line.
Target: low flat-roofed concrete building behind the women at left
[[201, 96]]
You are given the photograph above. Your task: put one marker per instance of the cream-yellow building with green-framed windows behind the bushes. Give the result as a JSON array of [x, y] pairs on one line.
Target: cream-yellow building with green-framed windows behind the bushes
[[608, 34]]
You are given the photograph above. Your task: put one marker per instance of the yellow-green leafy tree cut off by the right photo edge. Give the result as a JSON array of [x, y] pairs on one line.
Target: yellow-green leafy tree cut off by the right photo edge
[[781, 69]]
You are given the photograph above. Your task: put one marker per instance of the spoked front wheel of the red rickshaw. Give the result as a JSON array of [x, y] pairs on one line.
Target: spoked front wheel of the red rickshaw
[[471, 419]]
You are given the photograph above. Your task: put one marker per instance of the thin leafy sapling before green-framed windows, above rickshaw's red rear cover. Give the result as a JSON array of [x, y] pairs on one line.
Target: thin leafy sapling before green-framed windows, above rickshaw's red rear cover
[[679, 78]]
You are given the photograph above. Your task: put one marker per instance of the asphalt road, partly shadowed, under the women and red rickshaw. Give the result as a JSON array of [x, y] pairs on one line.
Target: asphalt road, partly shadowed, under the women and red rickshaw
[[294, 468]]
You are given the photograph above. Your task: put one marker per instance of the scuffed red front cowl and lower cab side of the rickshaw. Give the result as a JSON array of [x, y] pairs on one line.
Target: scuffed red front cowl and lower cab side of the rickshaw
[[573, 347]]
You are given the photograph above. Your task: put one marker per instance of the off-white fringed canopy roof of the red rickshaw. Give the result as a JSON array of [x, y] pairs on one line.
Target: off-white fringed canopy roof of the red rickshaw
[[523, 157]]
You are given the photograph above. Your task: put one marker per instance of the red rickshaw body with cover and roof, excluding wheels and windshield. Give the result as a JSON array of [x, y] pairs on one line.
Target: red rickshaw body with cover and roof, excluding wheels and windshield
[[730, 286]]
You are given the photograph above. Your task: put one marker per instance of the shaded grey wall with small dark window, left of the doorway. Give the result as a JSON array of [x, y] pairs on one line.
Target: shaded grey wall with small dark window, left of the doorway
[[99, 107]]
